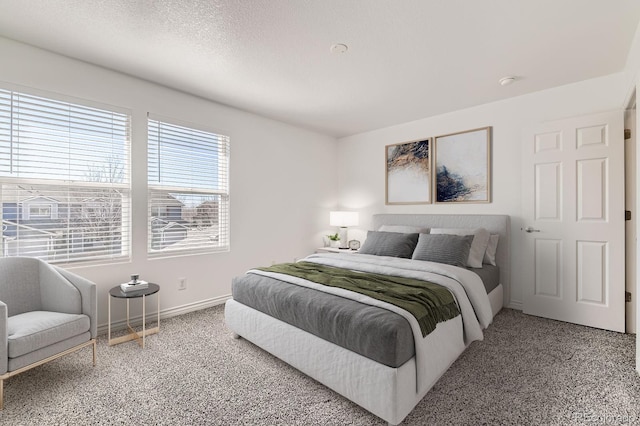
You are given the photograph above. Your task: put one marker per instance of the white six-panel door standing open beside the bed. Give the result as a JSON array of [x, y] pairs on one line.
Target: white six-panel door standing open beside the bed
[[573, 208]]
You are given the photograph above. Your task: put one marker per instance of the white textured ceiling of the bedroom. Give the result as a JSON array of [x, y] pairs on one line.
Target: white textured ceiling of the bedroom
[[407, 59]]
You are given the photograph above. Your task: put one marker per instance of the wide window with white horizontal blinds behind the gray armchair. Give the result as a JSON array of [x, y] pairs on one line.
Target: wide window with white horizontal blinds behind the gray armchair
[[64, 180]]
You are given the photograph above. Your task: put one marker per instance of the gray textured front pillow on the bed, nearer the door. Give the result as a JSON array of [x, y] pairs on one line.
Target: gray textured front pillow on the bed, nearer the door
[[444, 248]]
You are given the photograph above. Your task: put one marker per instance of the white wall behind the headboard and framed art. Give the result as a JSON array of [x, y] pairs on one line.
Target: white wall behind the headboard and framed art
[[362, 159]]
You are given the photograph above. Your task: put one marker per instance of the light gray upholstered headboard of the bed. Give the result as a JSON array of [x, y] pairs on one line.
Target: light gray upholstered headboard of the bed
[[495, 224]]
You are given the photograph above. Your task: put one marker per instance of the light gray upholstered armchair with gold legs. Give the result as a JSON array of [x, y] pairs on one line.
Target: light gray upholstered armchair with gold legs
[[45, 313]]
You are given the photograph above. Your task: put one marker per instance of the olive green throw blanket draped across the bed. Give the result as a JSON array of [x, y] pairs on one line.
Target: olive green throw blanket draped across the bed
[[429, 303]]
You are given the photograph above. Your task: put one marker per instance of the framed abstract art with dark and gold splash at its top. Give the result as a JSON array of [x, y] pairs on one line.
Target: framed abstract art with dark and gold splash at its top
[[408, 172]]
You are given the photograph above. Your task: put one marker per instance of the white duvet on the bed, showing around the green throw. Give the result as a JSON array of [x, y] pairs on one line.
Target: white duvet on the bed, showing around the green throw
[[466, 287]]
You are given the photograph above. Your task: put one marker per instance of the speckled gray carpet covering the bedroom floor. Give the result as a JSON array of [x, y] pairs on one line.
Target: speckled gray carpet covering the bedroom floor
[[527, 371]]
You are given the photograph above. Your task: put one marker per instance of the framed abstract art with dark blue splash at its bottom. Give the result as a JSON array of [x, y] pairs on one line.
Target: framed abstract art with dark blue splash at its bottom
[[463, 167]]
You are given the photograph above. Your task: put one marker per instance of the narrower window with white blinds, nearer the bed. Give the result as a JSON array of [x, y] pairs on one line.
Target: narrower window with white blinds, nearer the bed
[[188, 174]]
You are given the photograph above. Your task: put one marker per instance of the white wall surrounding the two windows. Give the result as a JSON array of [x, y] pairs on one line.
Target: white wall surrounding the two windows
[[281, 191]]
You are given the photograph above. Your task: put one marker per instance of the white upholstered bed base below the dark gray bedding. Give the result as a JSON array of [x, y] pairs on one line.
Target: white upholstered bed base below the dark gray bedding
[[389, 393]]
